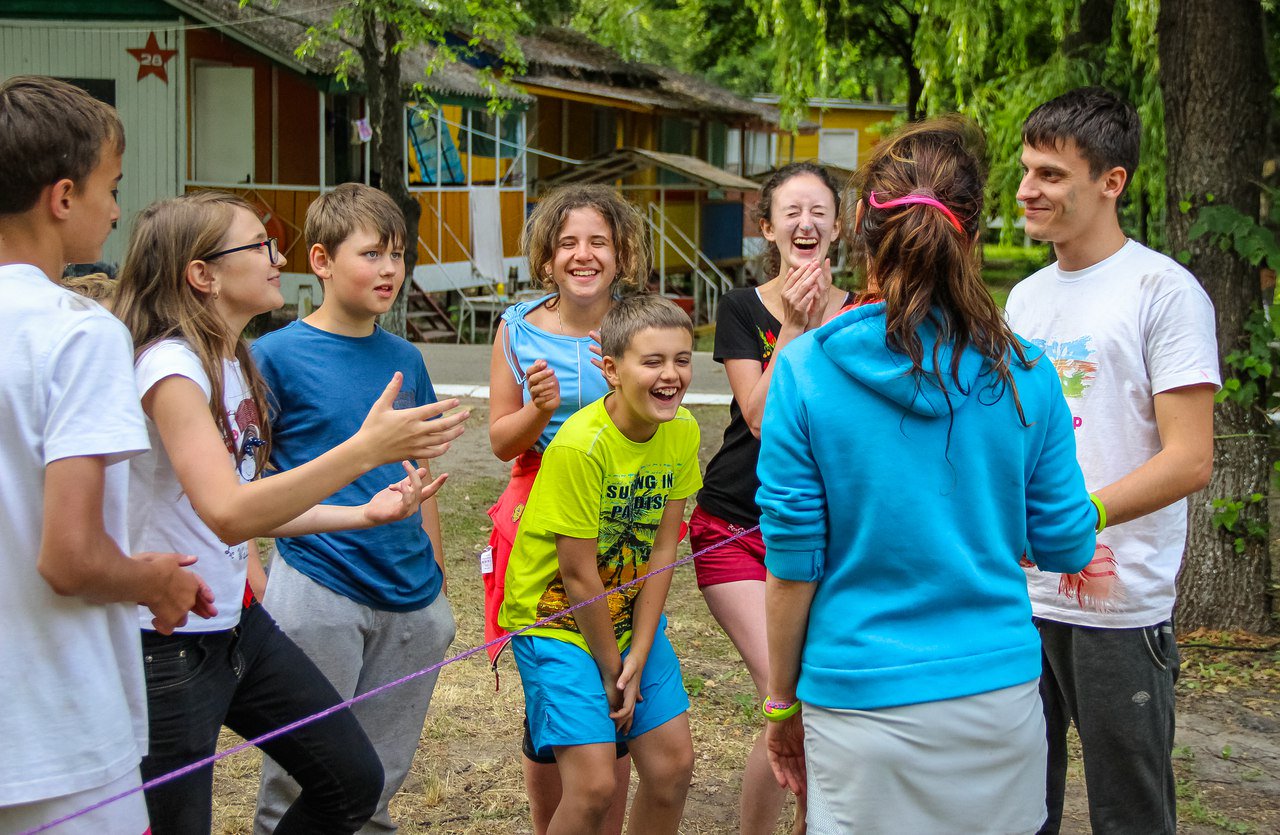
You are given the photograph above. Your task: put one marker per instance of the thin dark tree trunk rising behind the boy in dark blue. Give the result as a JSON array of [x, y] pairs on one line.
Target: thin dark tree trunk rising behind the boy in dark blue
[[387, 104]]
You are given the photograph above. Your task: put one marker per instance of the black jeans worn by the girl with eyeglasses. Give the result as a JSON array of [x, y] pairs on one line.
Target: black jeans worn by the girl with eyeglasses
[[254, 681]]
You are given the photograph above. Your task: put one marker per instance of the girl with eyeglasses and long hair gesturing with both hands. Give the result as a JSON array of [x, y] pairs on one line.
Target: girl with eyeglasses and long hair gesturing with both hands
[[198, 270]]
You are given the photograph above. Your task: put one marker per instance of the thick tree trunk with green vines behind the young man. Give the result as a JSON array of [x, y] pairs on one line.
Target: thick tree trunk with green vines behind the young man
[[1217, 94]]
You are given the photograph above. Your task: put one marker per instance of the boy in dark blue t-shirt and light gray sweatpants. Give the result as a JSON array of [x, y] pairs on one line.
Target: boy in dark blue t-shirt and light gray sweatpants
[[365, 605]]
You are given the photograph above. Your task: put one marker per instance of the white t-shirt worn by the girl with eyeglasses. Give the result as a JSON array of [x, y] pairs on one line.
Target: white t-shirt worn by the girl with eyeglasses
[[161, 514]]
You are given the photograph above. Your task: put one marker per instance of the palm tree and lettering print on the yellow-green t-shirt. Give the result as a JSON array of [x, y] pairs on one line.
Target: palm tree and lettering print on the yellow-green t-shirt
[[630, 514]]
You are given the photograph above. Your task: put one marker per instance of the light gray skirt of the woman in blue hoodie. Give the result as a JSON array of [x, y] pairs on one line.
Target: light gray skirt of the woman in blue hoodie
[[966, 766]]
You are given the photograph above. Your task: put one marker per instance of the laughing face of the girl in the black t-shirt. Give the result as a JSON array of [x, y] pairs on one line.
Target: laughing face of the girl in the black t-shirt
[[802, 221]]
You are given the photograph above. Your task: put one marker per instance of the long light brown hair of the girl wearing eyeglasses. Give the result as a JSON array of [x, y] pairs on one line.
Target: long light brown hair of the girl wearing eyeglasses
[[157, 303]]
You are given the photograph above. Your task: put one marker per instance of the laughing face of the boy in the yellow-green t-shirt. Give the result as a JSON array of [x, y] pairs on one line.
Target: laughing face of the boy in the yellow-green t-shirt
[[650, 381]]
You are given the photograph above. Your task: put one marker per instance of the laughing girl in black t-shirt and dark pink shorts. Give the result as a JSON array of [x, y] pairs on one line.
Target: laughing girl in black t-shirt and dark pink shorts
[[799, 216]]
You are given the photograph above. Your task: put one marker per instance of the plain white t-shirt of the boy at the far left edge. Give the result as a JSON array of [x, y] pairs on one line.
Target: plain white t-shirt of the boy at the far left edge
[[71, 672]]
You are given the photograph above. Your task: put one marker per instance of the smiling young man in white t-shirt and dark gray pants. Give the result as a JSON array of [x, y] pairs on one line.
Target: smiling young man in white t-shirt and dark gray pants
[[1132, 336]]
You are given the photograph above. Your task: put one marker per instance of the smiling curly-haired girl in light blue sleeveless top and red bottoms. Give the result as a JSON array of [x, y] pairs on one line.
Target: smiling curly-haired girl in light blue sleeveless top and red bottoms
[[584, 244]]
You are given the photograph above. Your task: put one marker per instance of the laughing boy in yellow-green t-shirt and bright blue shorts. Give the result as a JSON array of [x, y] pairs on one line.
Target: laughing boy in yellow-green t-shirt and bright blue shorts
[[606, 509]]
